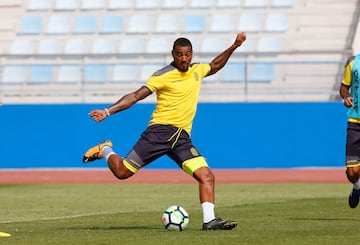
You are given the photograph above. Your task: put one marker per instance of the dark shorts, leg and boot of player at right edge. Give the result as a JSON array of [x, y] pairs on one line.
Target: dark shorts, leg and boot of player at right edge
[[353, 162]]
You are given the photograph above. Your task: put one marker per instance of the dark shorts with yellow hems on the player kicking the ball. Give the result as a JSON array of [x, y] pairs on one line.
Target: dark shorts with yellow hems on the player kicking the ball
[[158, 140]]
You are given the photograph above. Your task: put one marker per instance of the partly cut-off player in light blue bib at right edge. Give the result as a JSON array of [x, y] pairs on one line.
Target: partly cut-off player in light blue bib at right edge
[[349, 91]]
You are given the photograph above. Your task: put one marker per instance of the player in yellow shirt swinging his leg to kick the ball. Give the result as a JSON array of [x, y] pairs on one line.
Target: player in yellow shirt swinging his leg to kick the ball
[[177, 87]]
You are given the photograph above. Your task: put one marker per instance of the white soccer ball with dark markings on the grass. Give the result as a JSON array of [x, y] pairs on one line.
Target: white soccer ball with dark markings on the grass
[[175, 218]]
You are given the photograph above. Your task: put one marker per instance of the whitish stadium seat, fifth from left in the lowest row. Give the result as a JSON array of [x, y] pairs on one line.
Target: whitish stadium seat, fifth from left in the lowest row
[[124, 73]]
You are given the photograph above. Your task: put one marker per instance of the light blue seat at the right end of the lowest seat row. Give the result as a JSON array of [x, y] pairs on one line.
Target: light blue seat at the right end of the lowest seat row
[[261, 72]]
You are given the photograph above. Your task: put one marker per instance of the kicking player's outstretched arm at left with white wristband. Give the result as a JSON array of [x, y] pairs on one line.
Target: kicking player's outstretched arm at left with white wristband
[[123, 103]]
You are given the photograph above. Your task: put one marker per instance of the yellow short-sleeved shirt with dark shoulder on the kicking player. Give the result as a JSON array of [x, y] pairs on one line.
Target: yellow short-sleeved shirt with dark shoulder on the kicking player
[[177, 95]]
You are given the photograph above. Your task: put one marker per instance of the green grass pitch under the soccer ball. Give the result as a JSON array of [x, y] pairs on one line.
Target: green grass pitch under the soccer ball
[[131, 214]]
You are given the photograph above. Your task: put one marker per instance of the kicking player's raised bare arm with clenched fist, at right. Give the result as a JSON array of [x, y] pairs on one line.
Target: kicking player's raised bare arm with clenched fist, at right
[[219, 61]]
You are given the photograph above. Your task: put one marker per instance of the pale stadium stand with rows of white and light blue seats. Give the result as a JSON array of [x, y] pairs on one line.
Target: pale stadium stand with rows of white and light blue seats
[[73, 51]]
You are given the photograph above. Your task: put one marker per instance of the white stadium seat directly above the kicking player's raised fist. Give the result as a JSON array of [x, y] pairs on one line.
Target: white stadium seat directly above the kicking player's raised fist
[[250, 22]]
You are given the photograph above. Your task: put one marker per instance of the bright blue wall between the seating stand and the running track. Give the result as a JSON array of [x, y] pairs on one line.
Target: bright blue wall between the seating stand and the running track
[[229, 135]]
